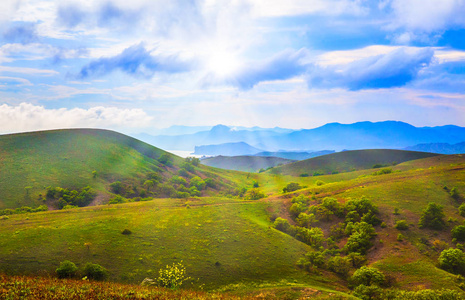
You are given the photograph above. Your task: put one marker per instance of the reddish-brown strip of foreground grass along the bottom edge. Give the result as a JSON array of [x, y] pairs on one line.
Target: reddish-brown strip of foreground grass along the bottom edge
[[45, 288]]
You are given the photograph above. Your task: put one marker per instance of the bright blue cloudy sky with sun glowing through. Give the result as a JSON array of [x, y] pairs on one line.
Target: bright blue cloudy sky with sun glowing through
[[133, 66]]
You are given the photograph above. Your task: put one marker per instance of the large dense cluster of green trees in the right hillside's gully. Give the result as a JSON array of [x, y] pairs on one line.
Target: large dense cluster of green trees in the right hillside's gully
[[357, 220]]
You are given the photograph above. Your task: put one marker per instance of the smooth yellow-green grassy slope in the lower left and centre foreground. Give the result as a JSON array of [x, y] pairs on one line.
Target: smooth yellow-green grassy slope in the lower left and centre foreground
[[220, 242]]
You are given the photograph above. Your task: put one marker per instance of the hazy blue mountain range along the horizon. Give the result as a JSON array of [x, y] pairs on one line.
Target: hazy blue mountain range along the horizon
[[334, 136]]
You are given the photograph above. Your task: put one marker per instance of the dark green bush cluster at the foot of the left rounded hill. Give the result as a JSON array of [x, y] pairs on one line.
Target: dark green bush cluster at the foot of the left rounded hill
[[71, 198]]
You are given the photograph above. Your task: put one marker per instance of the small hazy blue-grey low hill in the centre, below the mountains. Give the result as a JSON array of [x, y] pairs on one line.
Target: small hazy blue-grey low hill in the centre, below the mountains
[[244, 163]]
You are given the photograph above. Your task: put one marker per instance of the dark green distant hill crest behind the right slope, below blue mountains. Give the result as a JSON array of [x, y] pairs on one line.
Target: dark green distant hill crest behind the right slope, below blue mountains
[[349, 161]]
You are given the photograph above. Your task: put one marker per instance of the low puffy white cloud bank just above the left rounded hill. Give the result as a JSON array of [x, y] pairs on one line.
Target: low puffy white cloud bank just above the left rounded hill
[[29, 117]]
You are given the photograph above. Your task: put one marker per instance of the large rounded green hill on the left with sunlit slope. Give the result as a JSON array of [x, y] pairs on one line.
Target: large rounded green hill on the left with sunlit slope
[[75, 158]]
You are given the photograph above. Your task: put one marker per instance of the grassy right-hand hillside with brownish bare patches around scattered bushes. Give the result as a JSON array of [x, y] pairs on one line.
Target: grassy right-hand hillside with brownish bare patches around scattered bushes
[[412, 260]]
